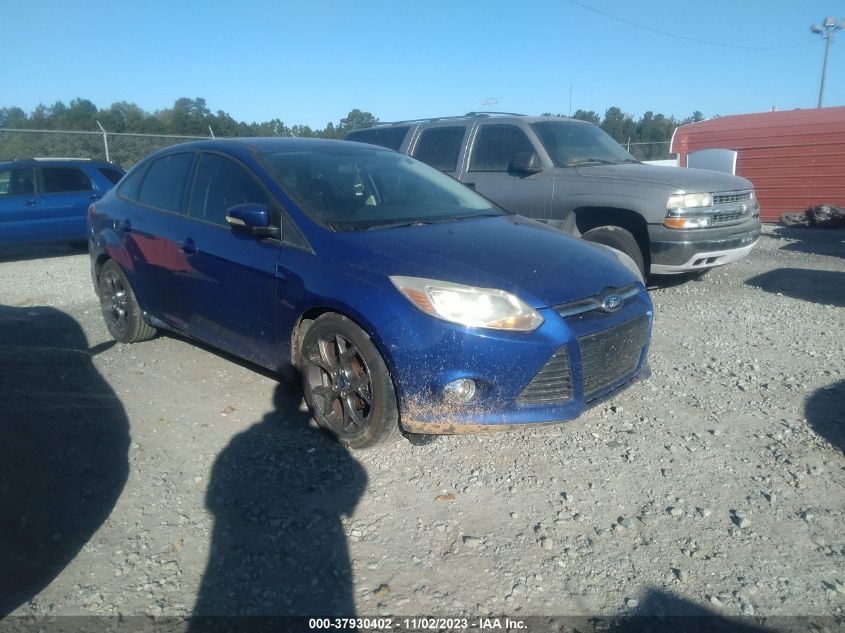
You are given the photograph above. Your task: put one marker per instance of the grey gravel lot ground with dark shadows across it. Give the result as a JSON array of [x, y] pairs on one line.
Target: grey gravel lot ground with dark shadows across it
[[184, 481]]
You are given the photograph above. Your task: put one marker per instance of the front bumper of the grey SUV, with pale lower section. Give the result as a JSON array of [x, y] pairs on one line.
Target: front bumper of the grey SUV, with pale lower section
[[674, 251]]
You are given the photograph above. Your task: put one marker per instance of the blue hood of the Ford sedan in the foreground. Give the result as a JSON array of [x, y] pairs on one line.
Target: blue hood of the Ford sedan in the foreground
[[540, 264]]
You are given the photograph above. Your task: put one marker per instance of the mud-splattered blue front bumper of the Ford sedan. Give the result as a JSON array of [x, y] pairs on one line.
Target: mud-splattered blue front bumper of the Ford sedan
[[424, 354]]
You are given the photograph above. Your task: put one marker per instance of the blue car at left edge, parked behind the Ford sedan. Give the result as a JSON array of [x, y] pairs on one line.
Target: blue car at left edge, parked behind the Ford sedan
[[46, 199]]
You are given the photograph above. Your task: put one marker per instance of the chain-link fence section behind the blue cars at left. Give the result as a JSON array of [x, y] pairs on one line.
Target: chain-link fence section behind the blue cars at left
[[121, 148]]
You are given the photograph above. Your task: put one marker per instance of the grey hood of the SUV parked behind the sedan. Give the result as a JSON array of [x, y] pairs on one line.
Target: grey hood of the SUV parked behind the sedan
[[690, 180]]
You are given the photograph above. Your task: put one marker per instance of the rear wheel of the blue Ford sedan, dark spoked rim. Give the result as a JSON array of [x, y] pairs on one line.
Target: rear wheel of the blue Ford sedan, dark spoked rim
[[121, 312]]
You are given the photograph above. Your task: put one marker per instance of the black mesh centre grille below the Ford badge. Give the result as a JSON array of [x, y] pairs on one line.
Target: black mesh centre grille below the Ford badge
[[610, 355]]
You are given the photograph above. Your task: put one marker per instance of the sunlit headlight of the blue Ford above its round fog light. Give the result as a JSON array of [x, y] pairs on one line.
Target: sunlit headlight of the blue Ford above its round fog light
[[468, 305]]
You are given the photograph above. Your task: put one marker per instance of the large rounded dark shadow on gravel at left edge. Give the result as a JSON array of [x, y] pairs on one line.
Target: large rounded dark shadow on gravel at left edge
[[64, 441]]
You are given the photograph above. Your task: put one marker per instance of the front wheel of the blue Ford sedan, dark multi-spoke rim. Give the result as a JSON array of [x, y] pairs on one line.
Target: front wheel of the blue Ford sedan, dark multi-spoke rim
[[346, 383]]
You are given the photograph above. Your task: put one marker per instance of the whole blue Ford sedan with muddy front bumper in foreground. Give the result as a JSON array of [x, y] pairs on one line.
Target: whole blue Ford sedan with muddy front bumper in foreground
[[403, 299]]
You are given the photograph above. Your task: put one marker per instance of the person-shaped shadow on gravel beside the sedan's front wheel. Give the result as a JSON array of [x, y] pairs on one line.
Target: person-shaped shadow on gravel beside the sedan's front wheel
[[279, 493]]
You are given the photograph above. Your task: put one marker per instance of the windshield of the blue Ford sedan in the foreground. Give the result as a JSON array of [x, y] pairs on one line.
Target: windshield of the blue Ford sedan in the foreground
[[358, 189]]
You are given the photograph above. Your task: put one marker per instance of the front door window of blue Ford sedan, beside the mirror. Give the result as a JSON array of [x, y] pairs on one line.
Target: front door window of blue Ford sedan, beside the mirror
[[219, 184]]
